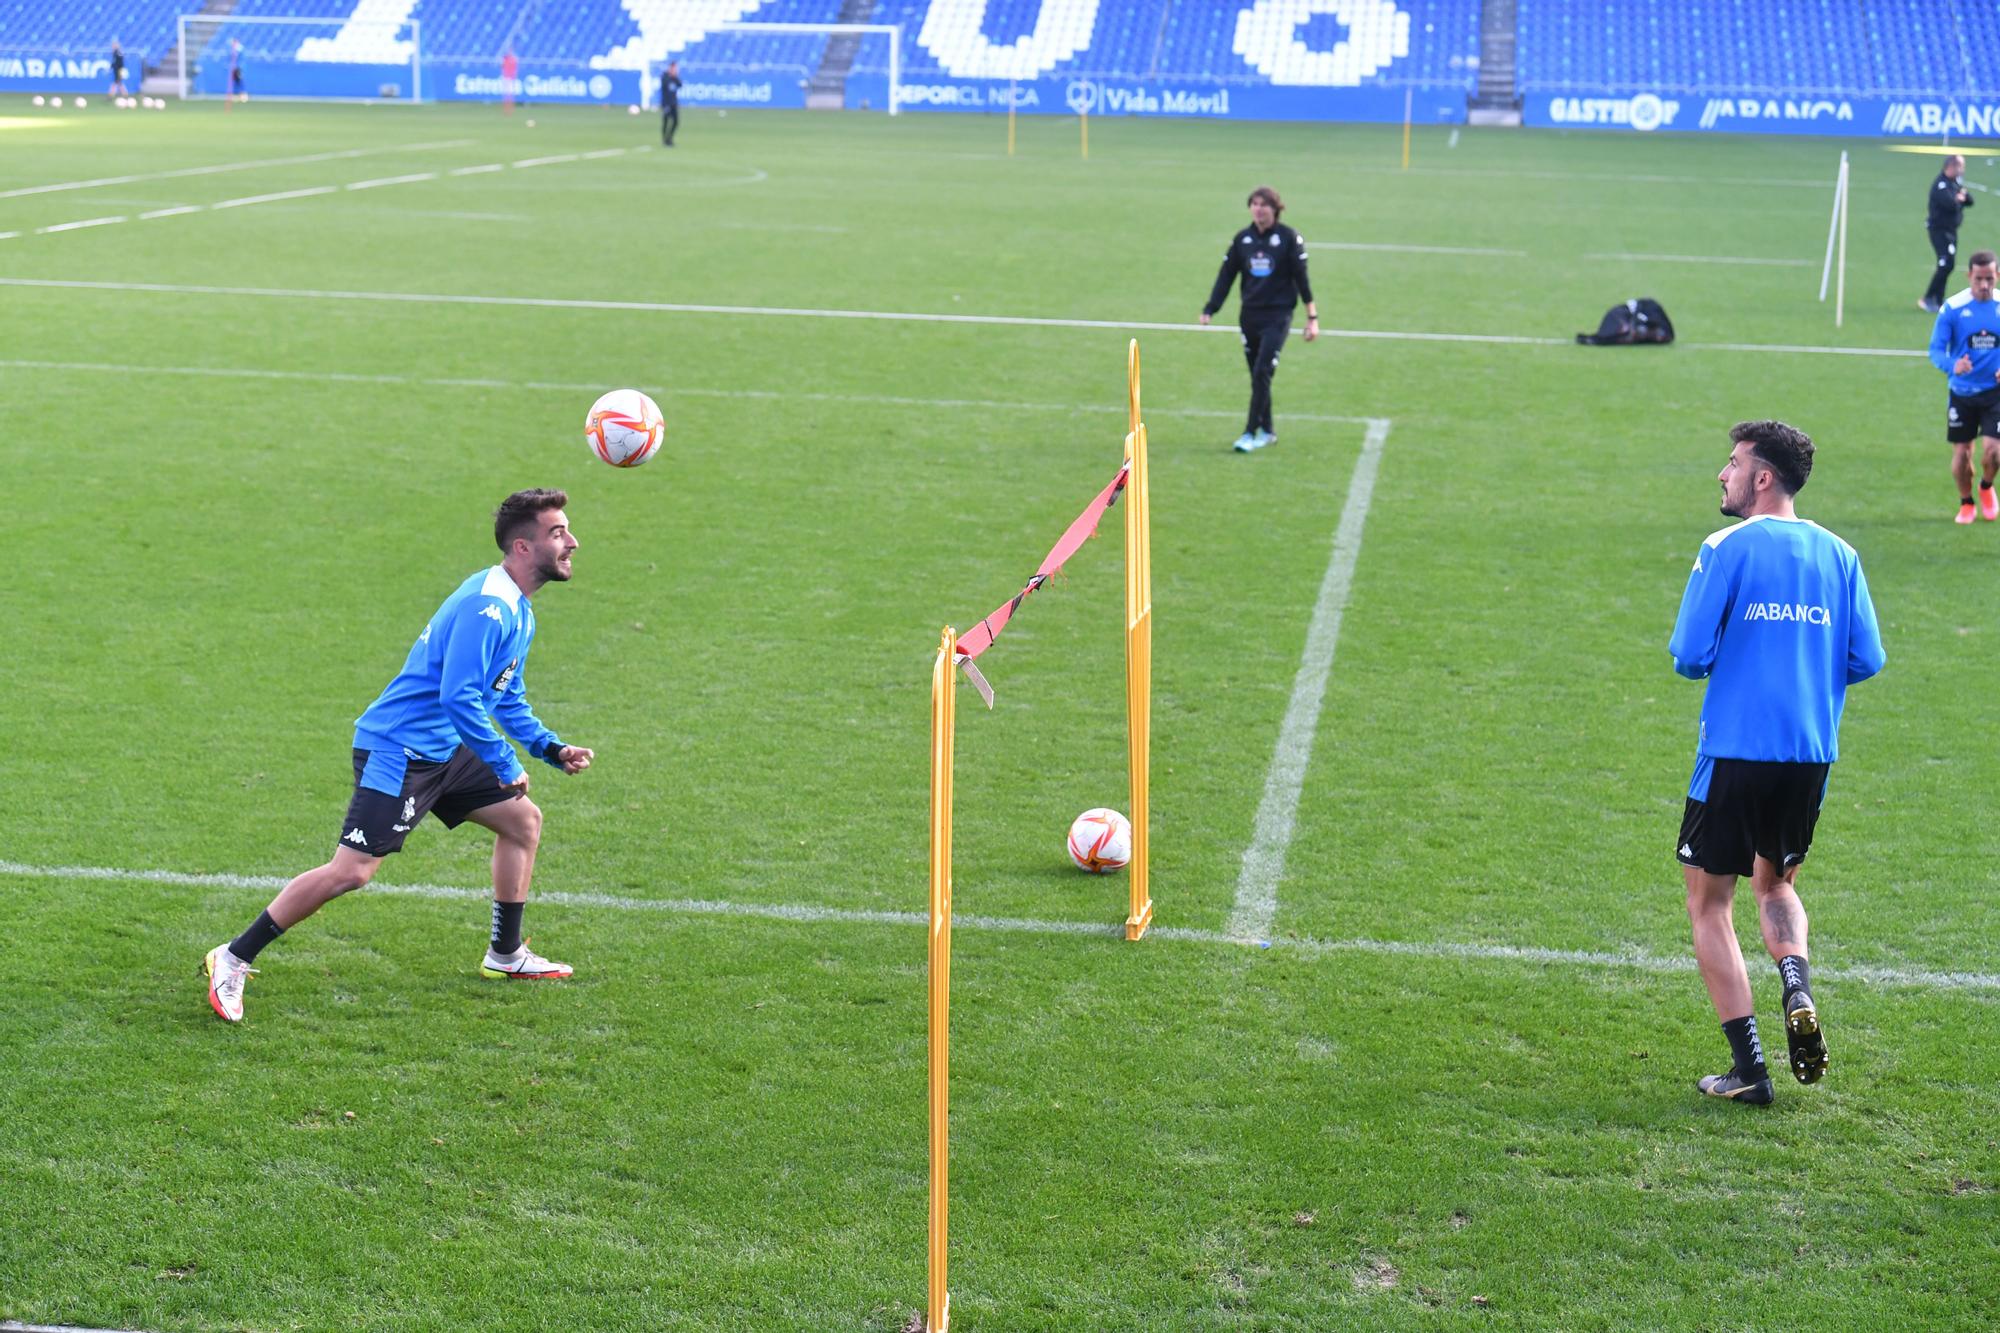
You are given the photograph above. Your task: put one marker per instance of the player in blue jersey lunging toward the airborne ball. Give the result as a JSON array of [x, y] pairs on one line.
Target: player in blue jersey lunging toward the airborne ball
[[429, 746]]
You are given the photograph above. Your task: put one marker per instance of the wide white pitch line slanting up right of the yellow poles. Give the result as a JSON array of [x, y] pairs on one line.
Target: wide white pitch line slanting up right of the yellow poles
[[1277, 814]]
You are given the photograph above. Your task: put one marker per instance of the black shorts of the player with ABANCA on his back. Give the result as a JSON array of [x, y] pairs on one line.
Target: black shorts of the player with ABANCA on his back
[[1753, 810]]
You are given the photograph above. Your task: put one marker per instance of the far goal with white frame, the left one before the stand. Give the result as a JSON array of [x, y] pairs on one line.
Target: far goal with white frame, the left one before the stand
[[301, 59]]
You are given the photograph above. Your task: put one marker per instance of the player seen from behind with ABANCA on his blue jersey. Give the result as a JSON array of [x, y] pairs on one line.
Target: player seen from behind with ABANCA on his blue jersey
[[1777, 619]]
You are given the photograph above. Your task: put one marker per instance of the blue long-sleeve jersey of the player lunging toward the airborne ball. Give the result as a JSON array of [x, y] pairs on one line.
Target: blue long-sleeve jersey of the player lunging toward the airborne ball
[[463, 676]]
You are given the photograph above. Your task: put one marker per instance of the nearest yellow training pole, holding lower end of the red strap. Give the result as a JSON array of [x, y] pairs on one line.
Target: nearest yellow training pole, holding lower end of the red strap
[[943, 696]]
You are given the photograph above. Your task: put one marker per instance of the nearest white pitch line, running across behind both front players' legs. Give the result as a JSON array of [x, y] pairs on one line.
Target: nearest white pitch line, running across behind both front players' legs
[[1635, 960]]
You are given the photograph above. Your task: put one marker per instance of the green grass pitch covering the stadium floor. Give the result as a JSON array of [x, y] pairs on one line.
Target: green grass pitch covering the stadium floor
[[1457, 1090]]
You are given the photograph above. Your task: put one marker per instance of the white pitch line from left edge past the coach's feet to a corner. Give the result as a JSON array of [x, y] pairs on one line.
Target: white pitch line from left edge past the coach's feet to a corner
[[659, 391]]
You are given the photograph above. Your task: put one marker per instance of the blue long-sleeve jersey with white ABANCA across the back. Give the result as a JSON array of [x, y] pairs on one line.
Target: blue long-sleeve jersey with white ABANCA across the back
[[1777, 617]]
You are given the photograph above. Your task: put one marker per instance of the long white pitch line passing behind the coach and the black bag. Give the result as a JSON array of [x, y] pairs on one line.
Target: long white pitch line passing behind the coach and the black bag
[[899, 317]]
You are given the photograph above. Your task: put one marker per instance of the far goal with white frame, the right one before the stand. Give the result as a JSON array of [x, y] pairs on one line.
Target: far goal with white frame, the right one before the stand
[[827, 67]]
